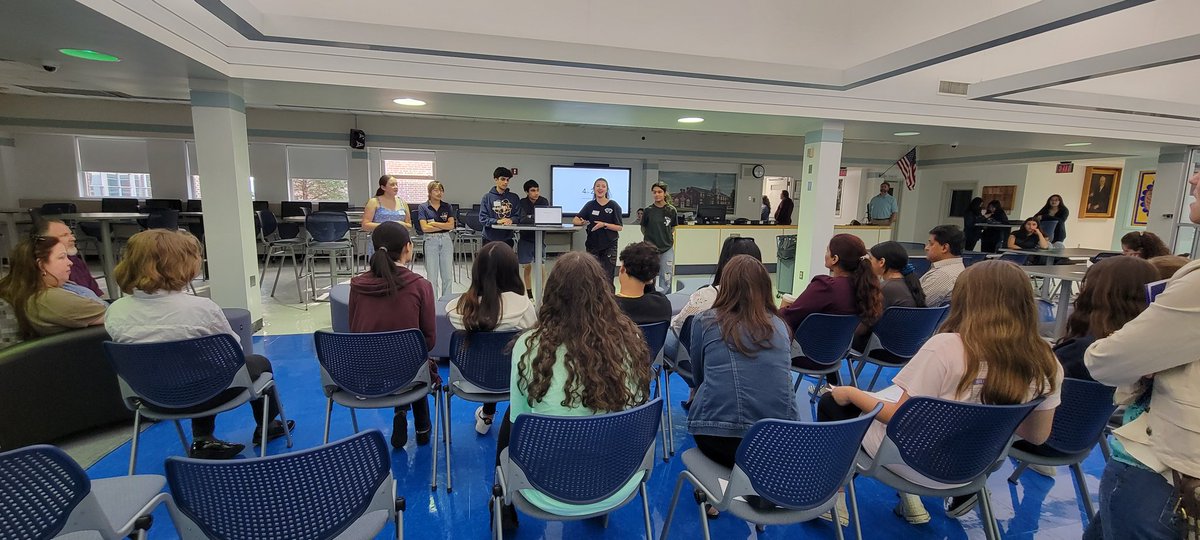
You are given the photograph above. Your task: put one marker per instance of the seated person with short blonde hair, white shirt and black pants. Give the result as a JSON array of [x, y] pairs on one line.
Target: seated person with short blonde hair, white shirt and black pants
[[159, 265]]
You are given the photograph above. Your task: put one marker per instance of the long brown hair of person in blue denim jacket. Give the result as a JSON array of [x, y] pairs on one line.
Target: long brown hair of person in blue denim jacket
[[745, 310]]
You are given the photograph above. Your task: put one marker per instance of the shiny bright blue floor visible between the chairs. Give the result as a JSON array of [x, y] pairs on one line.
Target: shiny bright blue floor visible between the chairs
[[1037, 508]]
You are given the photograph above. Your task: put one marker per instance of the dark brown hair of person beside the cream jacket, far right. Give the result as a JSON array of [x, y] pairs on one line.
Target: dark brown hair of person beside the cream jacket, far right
[[1113, 293]]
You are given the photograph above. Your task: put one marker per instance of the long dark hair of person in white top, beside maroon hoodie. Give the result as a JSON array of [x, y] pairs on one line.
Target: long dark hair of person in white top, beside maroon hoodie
[[494, 273]]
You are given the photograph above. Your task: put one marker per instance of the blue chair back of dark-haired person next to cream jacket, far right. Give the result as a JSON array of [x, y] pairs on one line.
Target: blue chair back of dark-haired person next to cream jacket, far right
[[1079, 421]]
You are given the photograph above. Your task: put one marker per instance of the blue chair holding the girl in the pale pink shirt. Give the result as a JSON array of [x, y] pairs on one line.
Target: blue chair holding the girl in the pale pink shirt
[[947, 442]]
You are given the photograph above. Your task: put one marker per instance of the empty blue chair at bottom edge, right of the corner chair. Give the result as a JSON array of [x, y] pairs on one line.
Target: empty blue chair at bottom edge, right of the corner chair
[[340, 490]]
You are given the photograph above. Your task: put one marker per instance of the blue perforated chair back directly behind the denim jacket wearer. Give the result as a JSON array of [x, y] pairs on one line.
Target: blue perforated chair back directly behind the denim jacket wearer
[[801, 465]]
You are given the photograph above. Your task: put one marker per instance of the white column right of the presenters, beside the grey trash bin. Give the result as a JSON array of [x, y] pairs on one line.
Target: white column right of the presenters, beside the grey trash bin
[[817, 195]]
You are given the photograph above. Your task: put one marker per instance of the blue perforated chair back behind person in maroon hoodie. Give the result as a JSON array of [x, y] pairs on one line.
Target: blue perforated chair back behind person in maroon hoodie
[[373, 364]]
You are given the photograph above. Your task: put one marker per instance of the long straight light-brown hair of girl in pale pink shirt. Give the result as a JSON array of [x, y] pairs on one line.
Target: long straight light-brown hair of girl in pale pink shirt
[[994, 313]]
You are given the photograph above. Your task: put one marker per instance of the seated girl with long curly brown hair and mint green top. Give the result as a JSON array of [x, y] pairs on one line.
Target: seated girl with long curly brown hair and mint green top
[[561, 368]]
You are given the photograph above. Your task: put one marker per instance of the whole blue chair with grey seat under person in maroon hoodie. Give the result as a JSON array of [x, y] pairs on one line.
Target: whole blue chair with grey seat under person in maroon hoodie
[[371, 370]]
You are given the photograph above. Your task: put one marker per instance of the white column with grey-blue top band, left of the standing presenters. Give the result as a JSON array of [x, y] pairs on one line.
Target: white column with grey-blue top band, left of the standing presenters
[[219, 121]]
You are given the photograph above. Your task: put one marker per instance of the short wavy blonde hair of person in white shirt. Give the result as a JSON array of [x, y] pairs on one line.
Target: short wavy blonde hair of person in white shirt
[[159, 260]]
